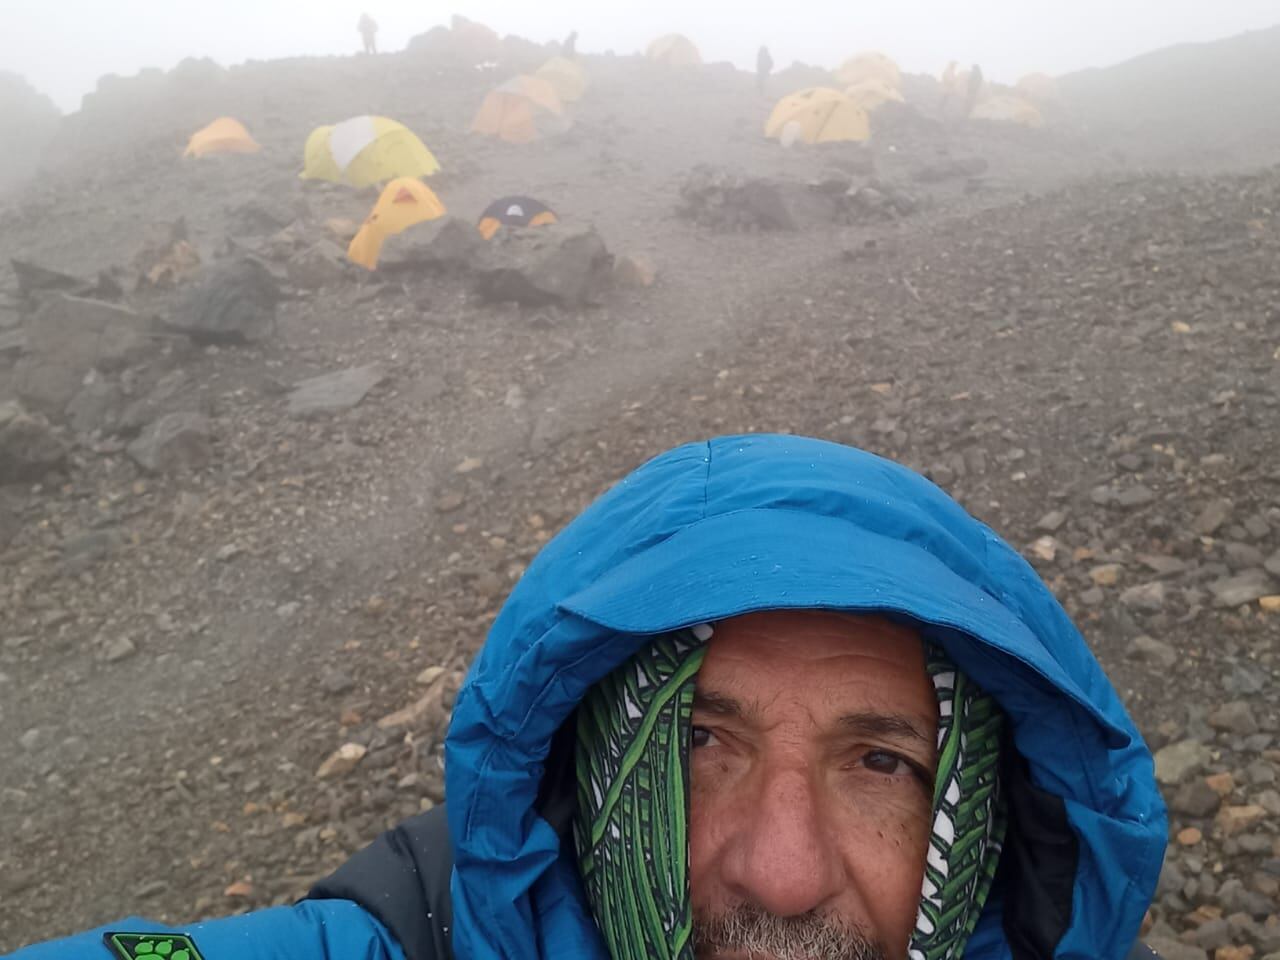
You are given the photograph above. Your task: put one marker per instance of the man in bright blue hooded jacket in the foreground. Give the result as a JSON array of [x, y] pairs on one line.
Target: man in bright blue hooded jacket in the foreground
[[767, 698]]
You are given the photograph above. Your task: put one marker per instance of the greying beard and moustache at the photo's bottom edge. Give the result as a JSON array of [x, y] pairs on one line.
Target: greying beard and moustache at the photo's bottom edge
[[753, 932]]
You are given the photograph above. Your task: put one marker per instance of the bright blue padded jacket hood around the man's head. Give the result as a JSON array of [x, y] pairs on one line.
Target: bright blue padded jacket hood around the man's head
[[743, 524]]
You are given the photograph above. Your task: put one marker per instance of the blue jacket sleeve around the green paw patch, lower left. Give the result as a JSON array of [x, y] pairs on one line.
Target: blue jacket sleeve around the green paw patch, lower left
[[313, 930]]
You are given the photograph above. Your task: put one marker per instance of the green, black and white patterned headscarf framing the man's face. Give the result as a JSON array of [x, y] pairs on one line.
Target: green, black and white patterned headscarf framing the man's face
[[633, 781]]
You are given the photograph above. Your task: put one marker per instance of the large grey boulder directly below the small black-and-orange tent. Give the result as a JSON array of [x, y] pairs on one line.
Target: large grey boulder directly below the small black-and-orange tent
[[566, 266]]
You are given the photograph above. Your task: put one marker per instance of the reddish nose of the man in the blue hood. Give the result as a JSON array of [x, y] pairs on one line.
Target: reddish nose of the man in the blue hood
[[783, 857]]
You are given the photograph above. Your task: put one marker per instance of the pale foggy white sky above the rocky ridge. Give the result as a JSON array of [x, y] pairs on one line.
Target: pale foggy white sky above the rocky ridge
[[63, 47]]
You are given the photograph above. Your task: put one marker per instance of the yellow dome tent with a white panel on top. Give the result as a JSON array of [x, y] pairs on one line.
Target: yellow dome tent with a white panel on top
[[364, 152]]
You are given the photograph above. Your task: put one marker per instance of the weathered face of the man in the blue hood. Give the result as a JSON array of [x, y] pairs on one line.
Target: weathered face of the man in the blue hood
[[812, 767]]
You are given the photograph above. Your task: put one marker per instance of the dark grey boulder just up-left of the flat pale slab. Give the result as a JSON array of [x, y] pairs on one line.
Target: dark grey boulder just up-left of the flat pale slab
[[236, 304]]
